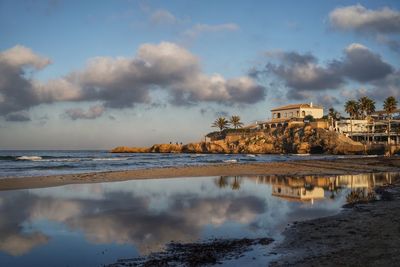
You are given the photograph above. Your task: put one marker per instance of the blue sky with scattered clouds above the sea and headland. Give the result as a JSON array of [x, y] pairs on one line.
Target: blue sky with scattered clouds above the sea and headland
[[100, 74]]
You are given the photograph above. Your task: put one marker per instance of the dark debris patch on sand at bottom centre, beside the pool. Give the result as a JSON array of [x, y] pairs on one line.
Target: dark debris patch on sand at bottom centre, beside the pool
[[196, 254]]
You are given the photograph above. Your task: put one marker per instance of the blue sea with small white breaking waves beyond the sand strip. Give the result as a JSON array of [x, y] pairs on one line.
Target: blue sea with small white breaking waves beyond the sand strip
[[19, 163]]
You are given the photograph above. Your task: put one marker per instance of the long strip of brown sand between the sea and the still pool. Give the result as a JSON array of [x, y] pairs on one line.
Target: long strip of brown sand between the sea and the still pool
[[289, 168]]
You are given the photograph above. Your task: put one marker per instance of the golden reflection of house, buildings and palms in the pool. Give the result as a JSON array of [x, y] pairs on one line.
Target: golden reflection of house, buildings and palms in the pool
[[310, 188]]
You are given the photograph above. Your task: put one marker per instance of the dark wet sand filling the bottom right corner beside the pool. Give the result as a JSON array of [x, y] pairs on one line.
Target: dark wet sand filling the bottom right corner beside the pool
[[363, 235]]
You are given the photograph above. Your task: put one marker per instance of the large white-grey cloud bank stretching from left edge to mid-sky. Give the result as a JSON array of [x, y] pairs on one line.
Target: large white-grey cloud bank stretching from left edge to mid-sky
[[123, 81]]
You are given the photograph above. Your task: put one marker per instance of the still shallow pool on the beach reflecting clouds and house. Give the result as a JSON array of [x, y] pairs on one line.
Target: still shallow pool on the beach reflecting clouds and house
[[96, 224]]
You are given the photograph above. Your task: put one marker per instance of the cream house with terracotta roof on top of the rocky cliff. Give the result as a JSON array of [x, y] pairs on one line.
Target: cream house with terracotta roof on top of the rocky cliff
[[297, 111]]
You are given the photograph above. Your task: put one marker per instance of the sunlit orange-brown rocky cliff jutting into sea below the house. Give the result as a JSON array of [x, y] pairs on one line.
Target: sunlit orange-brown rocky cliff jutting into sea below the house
[[298, 140]]
